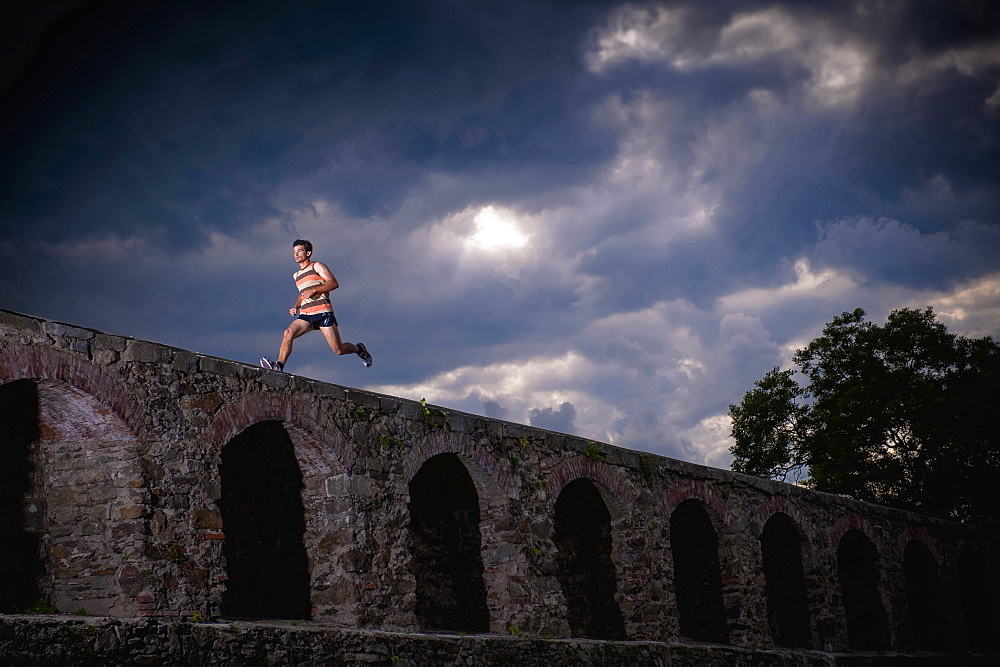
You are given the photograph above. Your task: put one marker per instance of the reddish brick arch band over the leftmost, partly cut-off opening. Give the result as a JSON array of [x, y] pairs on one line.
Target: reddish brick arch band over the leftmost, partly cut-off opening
[[33, 362]]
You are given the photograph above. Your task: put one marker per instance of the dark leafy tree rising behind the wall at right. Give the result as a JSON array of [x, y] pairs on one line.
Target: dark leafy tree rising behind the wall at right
[[902, 415]]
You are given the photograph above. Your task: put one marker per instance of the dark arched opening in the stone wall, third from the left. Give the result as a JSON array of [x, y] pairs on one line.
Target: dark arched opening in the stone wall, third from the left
[[446, 544]]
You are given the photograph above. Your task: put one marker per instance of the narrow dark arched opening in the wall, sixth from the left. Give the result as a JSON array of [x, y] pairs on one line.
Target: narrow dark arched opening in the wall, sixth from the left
[[784, 582]]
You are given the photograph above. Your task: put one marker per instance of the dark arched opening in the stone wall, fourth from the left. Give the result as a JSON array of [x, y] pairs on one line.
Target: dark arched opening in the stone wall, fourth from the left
[[586, 572]]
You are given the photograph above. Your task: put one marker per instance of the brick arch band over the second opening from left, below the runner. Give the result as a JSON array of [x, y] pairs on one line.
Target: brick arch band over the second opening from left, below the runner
[[257, 406]]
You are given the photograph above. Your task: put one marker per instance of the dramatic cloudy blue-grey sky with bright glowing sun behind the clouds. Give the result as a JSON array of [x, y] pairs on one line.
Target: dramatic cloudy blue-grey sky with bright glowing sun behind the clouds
[[602, 218]]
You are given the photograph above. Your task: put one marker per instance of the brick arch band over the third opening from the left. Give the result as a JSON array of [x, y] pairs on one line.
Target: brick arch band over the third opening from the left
[[492, 481]]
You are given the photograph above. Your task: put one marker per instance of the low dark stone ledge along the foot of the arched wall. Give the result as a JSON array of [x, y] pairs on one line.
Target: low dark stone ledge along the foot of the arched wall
[[66, 640]]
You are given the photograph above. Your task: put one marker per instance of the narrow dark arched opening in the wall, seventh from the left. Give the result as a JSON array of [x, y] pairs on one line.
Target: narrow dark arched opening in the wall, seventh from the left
[[857, 571]]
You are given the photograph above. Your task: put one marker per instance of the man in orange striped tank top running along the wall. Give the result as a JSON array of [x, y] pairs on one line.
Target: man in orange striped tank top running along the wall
[[314, 282]]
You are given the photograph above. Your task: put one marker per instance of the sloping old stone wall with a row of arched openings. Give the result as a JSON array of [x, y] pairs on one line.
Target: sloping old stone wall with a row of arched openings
[[160, 483]]
